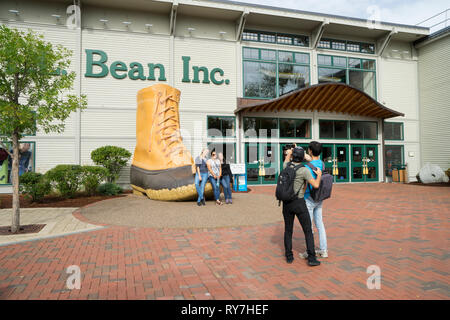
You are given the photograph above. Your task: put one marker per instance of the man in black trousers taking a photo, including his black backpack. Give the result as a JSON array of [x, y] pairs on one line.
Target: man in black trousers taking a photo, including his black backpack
[[290, 189]]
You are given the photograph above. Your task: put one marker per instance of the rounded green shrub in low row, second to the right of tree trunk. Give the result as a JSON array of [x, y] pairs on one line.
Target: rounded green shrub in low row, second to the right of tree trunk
[[66, 178]]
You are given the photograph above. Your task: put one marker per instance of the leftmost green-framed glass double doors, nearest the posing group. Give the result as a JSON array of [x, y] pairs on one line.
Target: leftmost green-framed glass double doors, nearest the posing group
[[262, 163]]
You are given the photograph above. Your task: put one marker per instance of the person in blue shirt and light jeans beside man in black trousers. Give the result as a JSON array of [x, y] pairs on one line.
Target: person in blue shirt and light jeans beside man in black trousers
[[315, 208]]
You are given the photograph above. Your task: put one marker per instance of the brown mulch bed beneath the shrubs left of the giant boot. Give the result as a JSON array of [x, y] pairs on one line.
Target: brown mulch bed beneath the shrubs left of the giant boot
[[52, 201]]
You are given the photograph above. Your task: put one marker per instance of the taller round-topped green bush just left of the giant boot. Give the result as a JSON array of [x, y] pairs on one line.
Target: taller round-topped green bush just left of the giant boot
[[112, 158]]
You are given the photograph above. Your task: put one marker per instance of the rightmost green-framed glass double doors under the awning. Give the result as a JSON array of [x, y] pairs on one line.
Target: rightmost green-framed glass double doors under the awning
[[364, 162]]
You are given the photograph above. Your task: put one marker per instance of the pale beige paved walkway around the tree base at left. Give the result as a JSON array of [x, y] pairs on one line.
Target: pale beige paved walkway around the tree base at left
[[58, 221]]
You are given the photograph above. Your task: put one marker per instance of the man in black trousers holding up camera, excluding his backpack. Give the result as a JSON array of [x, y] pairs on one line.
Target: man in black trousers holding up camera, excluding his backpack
[[298, 207]]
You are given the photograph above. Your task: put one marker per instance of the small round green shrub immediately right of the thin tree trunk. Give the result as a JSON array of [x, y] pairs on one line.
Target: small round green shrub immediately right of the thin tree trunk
[[34, 185]]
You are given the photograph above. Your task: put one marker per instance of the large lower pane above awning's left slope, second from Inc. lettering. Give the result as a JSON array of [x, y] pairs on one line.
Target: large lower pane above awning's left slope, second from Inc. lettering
[[292, 77]]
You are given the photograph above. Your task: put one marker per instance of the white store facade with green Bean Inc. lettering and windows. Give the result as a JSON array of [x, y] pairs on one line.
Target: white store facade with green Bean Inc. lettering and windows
[[223, 55]]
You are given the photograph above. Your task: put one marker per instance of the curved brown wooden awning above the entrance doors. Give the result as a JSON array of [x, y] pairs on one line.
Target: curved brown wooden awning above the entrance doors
[[324, 97]]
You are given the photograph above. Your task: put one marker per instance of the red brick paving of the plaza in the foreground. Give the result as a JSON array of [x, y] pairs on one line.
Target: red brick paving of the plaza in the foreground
[[402, 229]]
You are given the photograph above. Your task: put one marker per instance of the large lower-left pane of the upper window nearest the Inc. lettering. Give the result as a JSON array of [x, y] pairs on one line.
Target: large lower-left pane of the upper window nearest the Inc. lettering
[[260, 79]]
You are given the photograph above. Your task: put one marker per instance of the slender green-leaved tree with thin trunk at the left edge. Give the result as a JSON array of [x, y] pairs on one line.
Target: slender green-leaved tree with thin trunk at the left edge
[[32, 94]]
